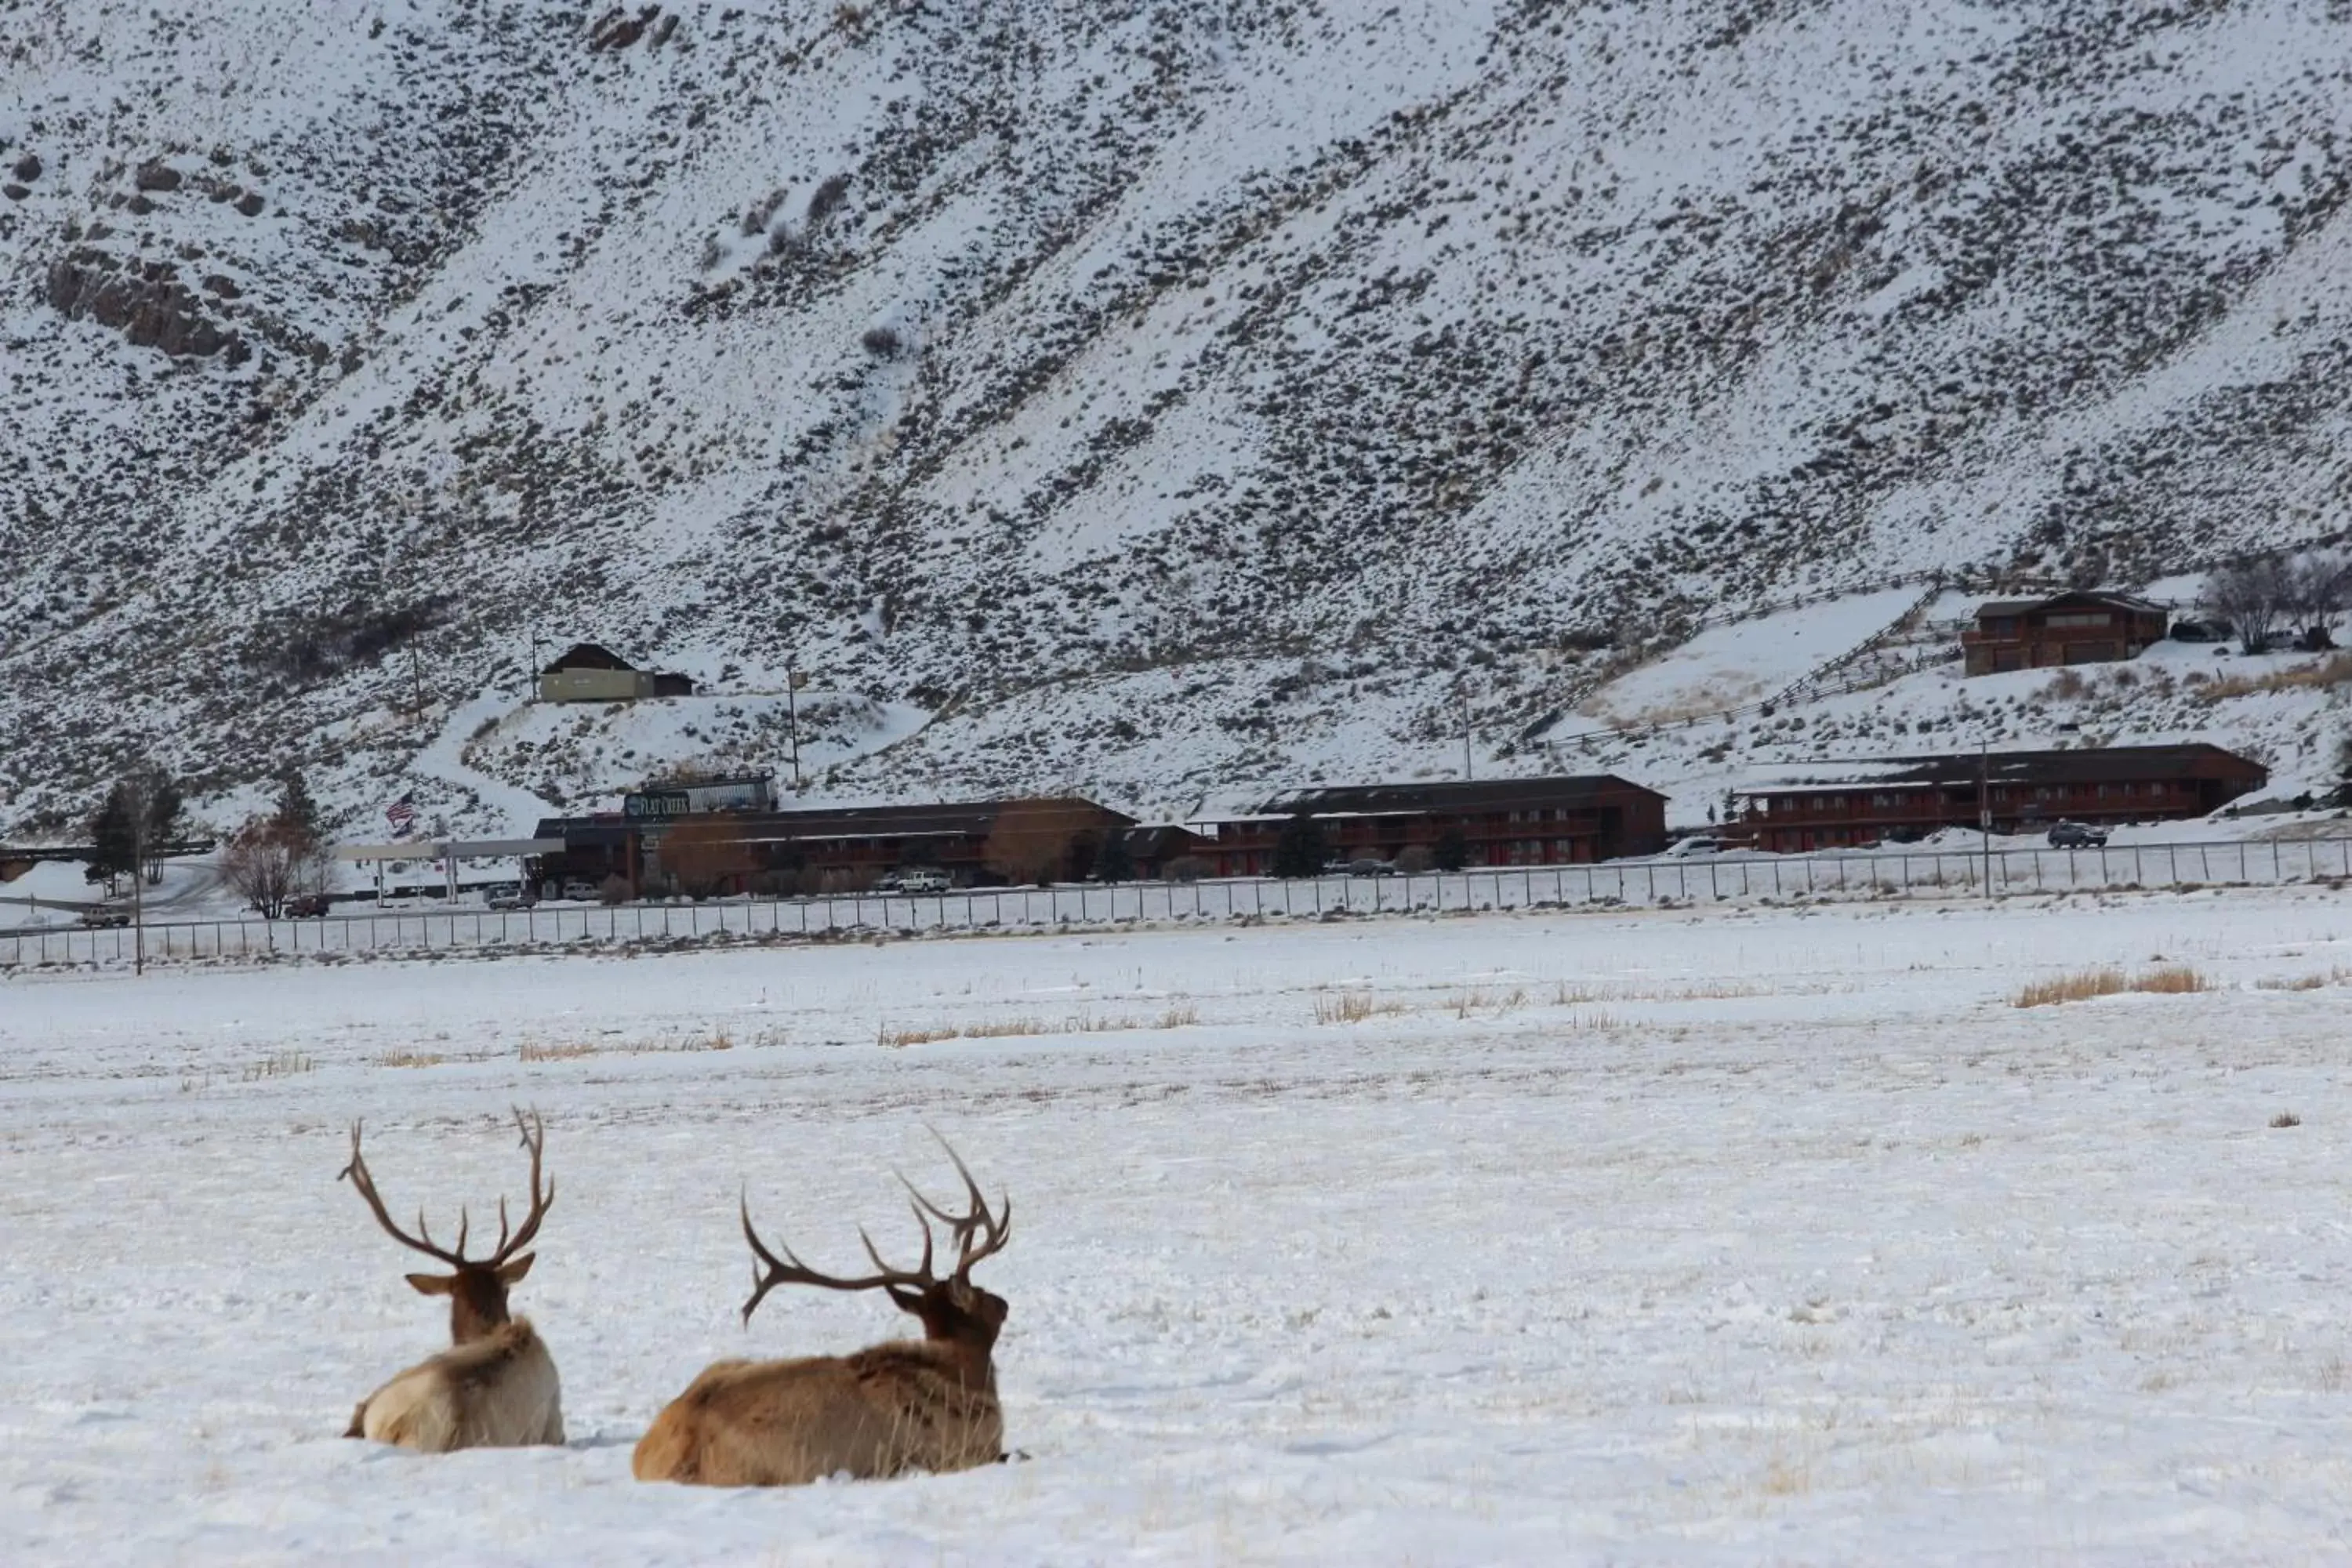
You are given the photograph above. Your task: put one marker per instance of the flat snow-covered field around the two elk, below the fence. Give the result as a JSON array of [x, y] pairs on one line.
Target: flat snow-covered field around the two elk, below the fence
[[1645, 1238]]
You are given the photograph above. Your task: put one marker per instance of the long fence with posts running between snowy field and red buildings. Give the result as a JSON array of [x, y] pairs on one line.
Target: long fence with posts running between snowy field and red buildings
[[1895, 873]]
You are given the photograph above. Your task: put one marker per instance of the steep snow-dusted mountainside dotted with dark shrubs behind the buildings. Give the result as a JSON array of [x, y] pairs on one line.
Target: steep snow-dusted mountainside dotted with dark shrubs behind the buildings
[[1172, 396]]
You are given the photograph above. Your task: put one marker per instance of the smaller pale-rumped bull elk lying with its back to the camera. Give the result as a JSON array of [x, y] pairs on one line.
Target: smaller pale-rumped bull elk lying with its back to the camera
[[495, 1388]]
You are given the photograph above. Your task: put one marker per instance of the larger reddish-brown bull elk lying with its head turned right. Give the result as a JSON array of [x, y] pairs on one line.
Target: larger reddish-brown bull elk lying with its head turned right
[[909, 1405]]
